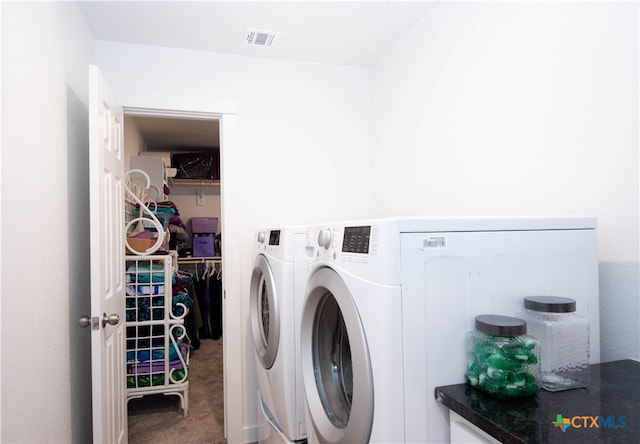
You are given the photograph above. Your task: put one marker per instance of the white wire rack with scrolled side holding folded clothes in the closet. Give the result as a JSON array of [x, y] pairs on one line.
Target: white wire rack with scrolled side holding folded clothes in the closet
[[157, 345]]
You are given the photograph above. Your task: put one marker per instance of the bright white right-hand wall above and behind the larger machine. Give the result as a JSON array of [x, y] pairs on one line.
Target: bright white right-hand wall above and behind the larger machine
[[520, 109]]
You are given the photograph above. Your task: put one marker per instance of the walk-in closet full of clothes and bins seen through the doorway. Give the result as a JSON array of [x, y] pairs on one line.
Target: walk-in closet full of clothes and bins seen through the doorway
[[173, 273]]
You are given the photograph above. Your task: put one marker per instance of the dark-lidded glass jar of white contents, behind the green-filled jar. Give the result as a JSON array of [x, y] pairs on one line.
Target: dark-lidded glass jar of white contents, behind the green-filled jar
[[564, 341]]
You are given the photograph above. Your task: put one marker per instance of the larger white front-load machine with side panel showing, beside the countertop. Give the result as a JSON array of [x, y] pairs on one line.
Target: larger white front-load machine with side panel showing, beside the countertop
[[388, 301]]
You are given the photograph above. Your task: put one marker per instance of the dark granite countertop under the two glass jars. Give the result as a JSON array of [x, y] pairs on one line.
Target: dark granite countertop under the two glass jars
[[608, 410]]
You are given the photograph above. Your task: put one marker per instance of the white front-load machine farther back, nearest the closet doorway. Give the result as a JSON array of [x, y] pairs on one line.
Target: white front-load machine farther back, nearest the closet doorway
[[276, 293]]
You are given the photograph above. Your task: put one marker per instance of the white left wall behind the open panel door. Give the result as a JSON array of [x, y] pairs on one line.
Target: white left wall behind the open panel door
[[46, 49]]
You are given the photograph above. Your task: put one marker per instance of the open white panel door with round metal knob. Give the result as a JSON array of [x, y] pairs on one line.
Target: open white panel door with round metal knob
[[106, 163]]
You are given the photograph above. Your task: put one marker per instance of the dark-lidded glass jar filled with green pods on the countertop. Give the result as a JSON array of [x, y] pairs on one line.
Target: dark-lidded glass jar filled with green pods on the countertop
[[501, 358]]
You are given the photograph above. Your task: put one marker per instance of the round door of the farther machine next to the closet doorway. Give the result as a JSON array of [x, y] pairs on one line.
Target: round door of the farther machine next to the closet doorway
[[265, 316]]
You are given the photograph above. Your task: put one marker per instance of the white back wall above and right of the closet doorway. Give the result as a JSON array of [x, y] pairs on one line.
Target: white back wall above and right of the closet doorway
[[302, 153]]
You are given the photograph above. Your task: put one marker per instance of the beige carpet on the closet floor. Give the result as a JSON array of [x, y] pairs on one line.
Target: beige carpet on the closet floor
[[157, 419]]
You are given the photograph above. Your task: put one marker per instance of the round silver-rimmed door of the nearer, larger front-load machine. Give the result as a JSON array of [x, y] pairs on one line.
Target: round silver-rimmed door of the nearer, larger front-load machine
[[336, 368]]
